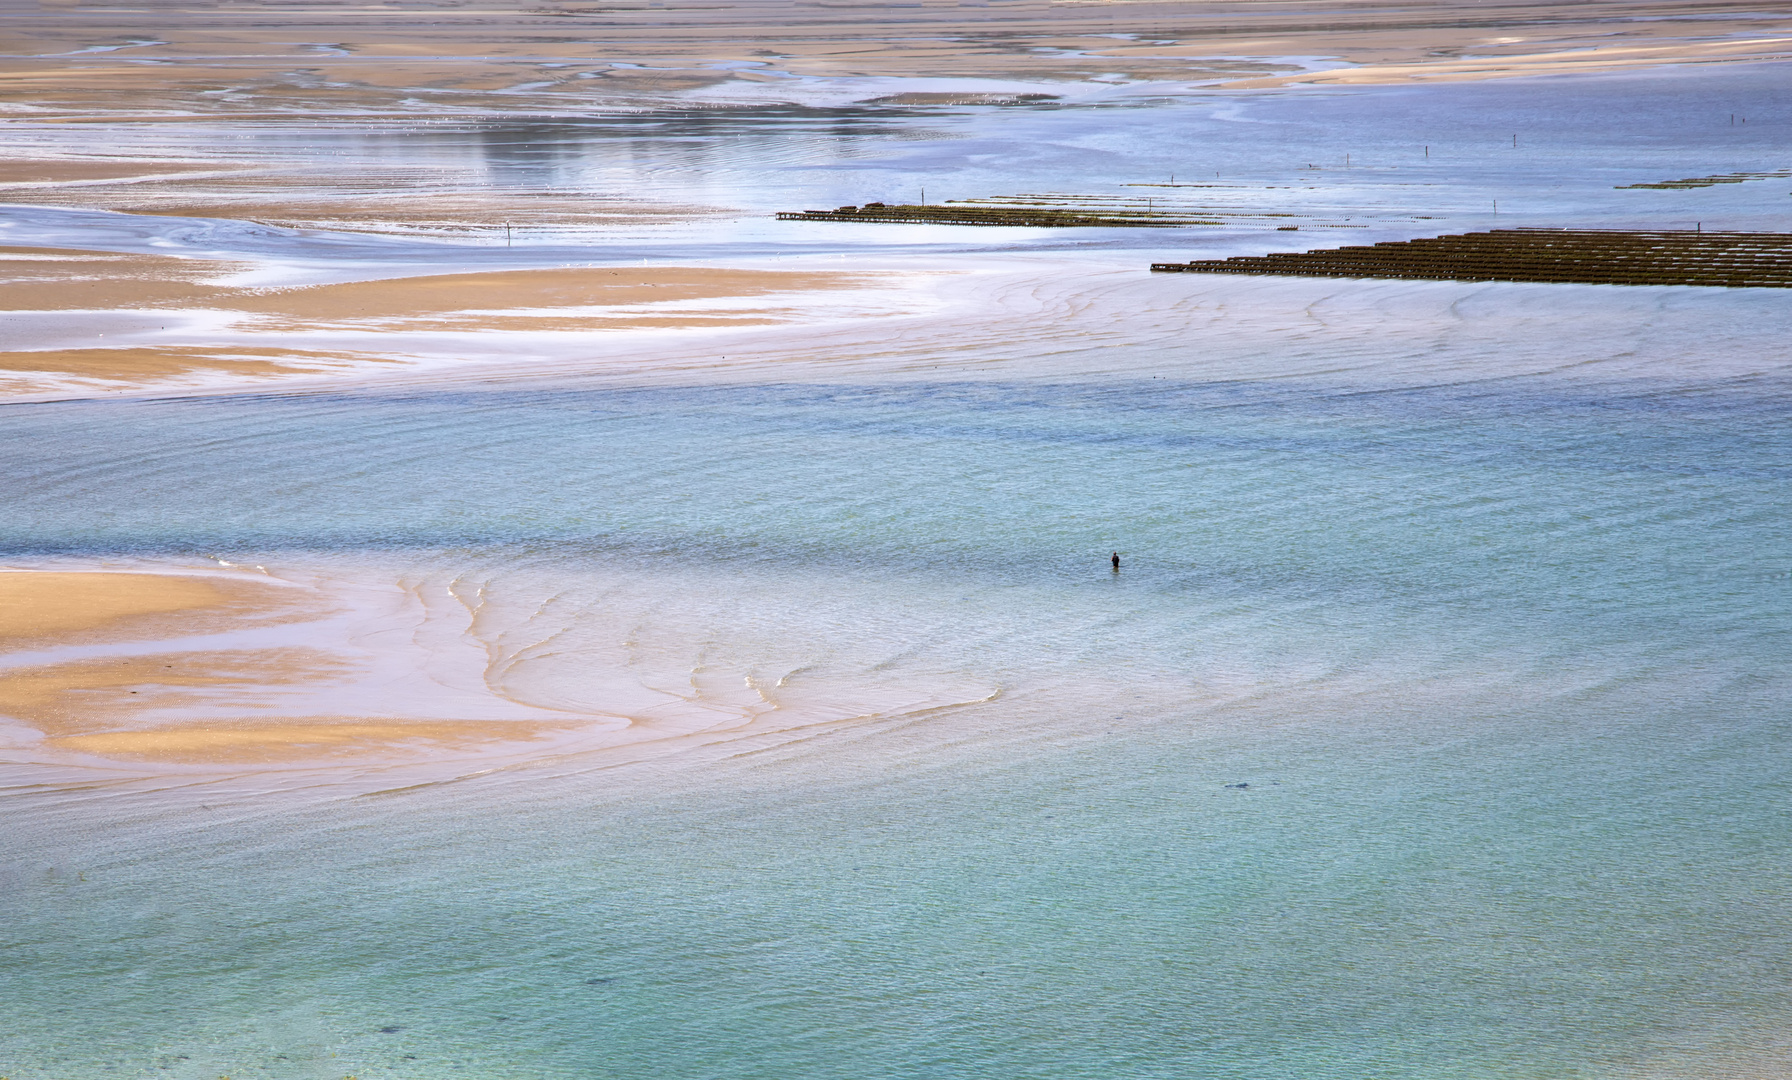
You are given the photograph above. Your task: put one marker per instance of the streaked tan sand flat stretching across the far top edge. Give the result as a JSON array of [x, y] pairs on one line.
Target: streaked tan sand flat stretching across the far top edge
[[263, 58]]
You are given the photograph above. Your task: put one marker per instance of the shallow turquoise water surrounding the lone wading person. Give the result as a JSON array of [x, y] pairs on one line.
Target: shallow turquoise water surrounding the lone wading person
[[1503, 667]]
